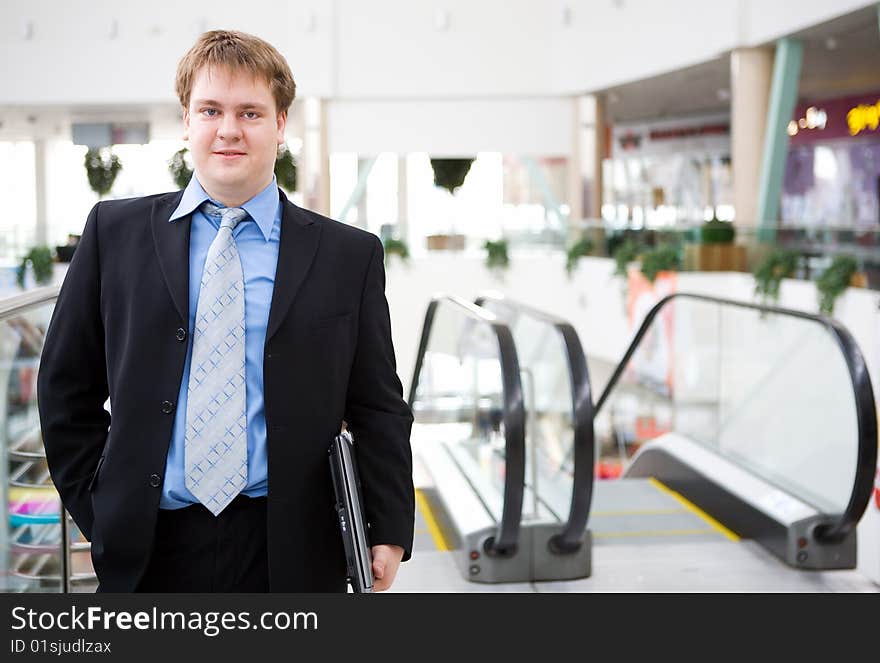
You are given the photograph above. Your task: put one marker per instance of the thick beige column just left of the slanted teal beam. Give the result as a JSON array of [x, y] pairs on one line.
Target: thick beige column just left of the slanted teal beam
[[751, 70]]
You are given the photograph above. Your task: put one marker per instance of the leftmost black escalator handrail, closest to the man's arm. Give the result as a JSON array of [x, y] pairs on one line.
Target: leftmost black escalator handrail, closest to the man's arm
[[506, 539]]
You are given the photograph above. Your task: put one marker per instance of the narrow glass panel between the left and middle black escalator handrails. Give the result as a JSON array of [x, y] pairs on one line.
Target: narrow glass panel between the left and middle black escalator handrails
[[546, 382]]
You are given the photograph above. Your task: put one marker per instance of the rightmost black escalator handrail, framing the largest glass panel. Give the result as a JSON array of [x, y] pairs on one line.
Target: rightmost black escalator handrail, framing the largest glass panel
[[866, 415]]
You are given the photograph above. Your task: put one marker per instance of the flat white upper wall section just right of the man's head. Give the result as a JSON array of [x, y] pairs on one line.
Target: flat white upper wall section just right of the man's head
[[392, 49]]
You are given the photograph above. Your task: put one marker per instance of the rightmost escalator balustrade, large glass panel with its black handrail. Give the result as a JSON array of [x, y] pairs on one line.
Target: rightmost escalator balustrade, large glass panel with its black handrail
[[783, 394]]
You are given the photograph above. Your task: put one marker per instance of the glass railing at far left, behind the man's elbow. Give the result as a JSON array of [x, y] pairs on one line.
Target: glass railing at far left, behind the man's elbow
[[40, 551]]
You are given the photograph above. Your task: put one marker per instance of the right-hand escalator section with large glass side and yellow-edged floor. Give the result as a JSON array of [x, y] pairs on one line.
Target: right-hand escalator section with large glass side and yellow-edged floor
[[733, 422]]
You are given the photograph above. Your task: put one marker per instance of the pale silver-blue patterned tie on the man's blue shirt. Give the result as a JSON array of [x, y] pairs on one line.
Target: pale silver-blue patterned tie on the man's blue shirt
[[215, 446]]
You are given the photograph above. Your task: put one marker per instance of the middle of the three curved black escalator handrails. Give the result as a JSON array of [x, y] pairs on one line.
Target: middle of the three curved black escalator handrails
[[569, 538]]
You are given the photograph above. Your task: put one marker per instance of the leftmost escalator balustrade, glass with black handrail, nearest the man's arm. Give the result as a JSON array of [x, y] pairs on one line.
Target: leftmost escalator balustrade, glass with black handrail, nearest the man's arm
[[466, 395]]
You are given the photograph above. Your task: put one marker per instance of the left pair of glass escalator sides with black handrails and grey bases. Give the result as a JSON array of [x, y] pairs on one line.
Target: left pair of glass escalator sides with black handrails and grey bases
[[493, 447]]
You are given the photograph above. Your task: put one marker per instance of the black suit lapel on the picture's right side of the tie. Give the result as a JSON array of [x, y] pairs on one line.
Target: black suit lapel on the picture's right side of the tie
[[299, 243]]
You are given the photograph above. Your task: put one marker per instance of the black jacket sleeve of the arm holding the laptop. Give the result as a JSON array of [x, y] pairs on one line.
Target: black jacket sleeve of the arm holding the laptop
[[380, 419]]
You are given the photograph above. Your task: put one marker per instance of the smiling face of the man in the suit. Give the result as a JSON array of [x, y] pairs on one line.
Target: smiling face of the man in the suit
[[234, 133]]
